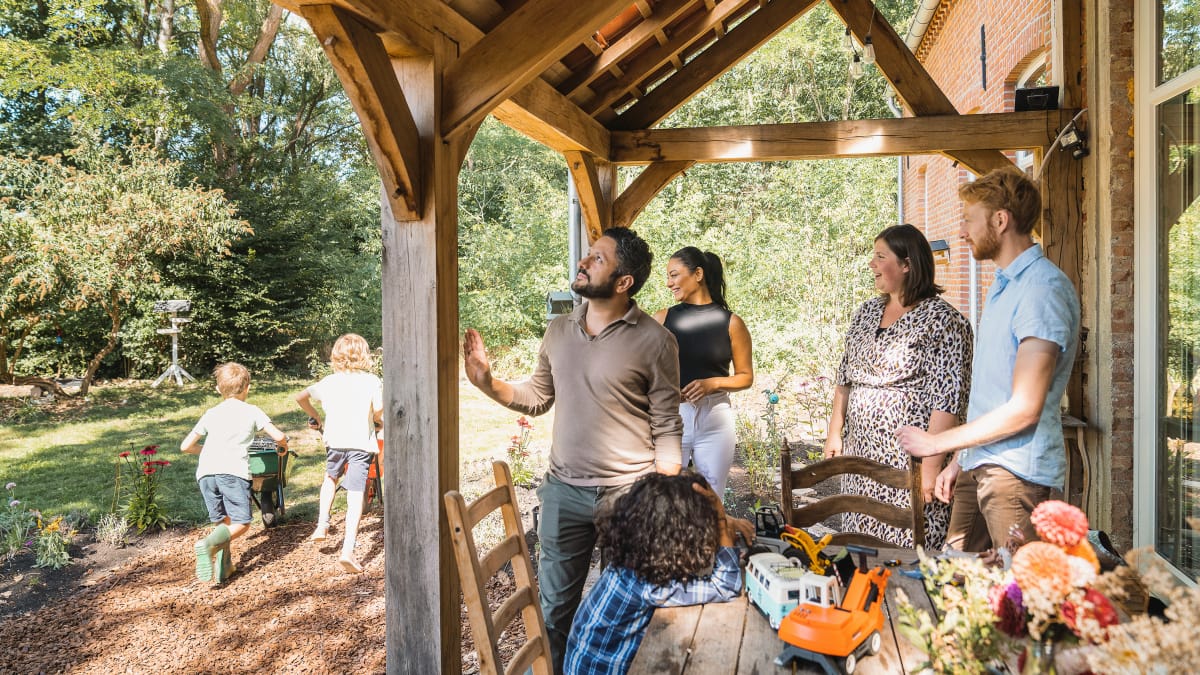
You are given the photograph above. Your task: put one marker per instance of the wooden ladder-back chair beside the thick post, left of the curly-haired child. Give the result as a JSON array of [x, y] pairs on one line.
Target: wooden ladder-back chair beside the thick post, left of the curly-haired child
[[476, 570]]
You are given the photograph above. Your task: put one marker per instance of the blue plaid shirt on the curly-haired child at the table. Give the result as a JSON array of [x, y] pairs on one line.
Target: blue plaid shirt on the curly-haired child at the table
[[613, 620]]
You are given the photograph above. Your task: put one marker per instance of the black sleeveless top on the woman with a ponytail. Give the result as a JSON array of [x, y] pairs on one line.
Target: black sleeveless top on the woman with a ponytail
[[704, 337]]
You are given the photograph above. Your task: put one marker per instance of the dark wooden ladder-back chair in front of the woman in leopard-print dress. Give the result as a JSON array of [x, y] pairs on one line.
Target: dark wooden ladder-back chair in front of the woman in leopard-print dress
[[913, 518]]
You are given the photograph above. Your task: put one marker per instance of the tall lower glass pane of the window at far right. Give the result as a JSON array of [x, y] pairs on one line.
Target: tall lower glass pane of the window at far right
[[1179, 320]]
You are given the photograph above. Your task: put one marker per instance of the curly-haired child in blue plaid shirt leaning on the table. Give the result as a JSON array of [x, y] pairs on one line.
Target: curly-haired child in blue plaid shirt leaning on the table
[[662, 540]]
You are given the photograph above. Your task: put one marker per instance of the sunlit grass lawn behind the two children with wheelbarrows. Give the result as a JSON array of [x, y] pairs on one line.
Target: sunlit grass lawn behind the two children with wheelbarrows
[[63, 457]]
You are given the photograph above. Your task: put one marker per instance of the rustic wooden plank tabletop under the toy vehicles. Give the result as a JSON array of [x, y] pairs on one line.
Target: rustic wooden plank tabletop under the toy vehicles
[[736, 638]]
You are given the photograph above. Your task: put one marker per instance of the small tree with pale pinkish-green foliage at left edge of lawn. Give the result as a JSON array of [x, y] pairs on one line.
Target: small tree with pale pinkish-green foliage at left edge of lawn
[[106, 223]]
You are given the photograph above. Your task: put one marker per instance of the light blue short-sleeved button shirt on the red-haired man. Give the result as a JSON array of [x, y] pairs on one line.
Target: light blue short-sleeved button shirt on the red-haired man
[[1030, 298]]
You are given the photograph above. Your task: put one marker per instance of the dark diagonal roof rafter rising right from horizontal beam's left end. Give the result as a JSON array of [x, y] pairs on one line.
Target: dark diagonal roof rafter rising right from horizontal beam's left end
[[712, 63]]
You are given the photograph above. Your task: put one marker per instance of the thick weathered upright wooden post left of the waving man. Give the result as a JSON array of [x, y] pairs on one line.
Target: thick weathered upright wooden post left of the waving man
[[421, 330]]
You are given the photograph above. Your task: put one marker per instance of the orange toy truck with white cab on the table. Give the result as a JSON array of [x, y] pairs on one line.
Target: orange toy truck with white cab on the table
[[836, 635]]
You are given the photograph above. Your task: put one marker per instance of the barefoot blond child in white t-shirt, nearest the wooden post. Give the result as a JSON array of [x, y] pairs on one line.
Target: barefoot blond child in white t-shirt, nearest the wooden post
[[353, 403]]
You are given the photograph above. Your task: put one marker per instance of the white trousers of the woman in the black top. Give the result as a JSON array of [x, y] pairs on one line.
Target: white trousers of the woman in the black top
[[710, 438]]
